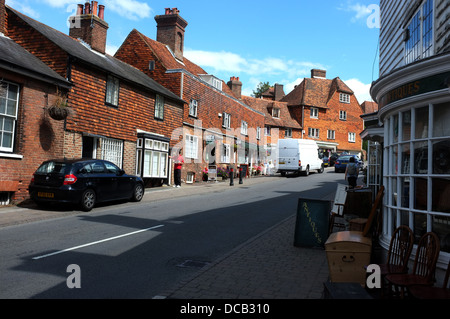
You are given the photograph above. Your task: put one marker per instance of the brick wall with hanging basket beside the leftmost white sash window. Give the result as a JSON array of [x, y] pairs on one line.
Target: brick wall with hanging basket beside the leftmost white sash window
[[38, 137]]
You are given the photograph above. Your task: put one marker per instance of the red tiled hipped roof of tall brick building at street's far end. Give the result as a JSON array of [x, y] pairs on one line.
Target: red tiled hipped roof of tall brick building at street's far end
[[316, 92]]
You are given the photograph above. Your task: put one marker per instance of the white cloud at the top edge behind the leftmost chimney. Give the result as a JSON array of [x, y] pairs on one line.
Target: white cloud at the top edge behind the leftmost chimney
[[130, 9]]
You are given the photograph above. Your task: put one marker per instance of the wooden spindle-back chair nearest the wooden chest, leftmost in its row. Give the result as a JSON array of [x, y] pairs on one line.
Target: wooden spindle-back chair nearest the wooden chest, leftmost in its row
[[400, 248]]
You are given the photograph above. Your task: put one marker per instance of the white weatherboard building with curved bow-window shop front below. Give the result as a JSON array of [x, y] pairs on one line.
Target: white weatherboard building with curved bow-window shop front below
[[413, 94]]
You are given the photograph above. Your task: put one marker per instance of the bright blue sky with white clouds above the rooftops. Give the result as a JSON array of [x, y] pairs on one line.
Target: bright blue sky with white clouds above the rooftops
[[258, 41]]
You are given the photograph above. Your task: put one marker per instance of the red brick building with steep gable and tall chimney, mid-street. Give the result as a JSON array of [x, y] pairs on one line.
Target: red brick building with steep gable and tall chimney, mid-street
[[218, 128]]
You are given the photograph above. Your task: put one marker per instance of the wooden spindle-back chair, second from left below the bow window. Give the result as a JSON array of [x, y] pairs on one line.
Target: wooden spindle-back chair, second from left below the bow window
[[423, 270]]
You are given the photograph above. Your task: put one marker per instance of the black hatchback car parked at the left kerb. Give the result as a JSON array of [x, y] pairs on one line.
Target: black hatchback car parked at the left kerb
[[83, 182]]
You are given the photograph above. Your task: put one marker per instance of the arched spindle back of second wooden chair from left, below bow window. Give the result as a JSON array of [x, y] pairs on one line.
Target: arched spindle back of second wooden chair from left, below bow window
[[426, 256]]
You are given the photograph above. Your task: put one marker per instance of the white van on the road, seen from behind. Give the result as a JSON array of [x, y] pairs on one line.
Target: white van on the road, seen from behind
[[298, 156]]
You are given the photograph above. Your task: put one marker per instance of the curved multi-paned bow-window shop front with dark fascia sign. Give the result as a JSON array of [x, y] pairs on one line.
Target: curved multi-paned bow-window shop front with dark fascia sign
[[414, 109]]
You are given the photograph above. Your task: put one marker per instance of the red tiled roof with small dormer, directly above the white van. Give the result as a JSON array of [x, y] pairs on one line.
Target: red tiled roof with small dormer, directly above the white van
[[266, 106]]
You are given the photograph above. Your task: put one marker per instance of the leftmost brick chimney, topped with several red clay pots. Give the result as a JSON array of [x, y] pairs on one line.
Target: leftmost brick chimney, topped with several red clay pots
[[89, 25]]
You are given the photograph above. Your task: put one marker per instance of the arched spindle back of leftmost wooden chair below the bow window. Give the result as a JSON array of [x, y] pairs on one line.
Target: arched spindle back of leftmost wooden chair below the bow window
[[400, 247]]
